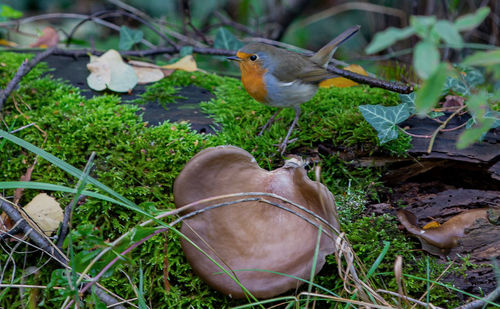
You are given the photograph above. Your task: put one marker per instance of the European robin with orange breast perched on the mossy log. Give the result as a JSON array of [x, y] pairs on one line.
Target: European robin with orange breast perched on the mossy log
[[281, 78]]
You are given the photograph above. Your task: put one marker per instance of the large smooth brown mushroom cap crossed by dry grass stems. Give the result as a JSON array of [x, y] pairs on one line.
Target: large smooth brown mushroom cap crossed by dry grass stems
[[253, 235]]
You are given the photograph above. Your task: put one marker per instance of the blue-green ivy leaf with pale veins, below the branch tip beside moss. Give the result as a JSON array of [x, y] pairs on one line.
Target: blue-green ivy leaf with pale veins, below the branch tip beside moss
[[384, 119]]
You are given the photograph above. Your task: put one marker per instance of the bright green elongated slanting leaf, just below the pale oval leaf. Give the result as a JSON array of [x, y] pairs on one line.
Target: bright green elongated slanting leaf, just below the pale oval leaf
[[431, 90]]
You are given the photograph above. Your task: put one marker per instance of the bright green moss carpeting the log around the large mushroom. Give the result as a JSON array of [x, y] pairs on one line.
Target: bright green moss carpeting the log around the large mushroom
[[141, 163]]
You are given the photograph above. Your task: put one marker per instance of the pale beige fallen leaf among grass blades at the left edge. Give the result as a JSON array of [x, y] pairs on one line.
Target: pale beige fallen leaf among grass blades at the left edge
[[46, 213]]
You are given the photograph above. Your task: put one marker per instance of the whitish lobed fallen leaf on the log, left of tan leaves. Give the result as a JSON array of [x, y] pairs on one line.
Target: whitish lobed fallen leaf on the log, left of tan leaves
[[109, 71]]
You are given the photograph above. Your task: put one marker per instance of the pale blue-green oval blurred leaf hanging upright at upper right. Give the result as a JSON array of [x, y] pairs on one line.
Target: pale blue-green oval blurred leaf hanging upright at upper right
[[425, 59]]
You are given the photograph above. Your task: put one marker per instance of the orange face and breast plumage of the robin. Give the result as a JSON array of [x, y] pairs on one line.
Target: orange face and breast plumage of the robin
[[252, 77]]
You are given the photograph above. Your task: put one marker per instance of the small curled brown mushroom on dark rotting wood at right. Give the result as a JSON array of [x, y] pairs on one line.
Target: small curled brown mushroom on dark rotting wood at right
[[440, 239]]
